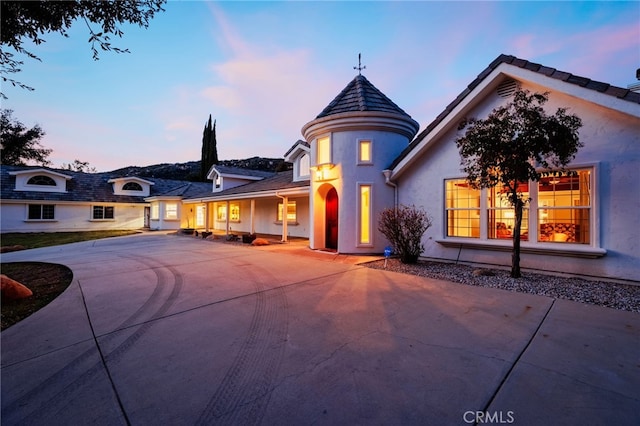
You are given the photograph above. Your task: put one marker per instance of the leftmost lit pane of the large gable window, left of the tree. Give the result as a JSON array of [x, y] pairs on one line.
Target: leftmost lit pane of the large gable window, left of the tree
[[462, 209]]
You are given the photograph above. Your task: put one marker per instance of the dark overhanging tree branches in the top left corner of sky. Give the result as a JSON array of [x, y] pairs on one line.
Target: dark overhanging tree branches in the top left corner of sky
[[30, 20]]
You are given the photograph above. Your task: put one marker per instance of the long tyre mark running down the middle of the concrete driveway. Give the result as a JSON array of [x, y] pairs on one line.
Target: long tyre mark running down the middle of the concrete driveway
[[243, 394]]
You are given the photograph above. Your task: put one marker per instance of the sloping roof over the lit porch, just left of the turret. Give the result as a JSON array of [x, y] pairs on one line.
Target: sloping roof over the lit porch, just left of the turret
[[282, 181]]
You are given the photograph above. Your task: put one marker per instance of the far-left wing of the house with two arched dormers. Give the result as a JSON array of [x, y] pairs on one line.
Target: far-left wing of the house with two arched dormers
[[39, 199]]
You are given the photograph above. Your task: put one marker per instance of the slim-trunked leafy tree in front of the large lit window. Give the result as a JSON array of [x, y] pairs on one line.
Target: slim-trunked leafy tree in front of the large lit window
[[518, 142]]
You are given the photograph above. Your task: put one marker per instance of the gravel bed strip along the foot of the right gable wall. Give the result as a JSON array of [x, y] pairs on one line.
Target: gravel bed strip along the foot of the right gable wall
[[612, 295]]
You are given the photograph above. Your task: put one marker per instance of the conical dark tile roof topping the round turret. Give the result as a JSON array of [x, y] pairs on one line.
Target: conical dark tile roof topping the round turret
[[361, 95]]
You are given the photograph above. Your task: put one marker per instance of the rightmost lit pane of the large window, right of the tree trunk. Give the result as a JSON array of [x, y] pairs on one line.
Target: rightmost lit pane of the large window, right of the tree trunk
[[564, 208]]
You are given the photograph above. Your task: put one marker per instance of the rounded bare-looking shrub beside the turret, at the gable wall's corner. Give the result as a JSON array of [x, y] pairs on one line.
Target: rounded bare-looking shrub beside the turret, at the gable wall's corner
[[404, 227]]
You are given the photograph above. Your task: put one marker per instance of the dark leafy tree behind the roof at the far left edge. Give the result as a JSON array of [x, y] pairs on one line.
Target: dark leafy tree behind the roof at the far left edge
[[19, 144]]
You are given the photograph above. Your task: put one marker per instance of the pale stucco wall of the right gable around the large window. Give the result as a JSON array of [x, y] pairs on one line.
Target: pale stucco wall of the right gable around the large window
[[612, 147]]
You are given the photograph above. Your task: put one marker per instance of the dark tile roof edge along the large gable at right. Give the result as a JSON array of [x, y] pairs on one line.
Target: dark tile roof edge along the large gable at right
[[586, 83]]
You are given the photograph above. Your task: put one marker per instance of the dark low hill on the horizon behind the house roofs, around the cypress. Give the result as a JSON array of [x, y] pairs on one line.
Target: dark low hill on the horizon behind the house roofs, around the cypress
[[191, 170]]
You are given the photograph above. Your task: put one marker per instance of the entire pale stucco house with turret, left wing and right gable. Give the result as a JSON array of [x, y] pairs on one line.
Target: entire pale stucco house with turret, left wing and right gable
[[361, 155]]
